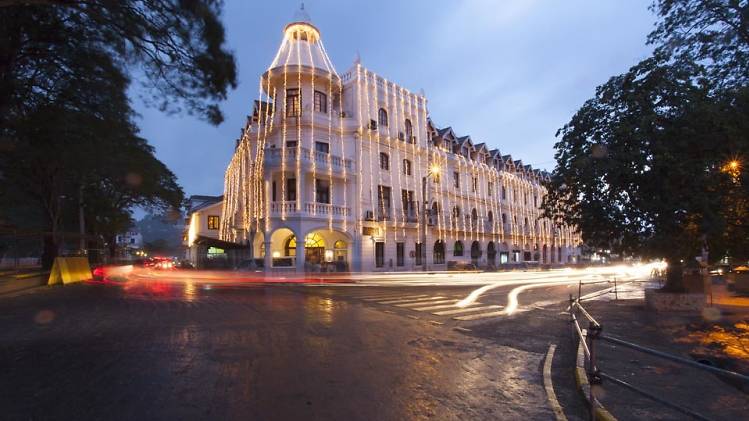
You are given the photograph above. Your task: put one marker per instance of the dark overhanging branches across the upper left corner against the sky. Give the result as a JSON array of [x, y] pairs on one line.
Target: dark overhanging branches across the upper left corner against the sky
[[176, 45]]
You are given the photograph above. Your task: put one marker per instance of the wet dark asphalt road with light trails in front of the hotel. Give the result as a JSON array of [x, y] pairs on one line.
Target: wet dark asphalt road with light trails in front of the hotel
[[162, 346]]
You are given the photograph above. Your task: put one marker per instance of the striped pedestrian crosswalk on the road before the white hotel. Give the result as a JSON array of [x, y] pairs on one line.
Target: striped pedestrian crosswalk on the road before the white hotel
[[435, 305]]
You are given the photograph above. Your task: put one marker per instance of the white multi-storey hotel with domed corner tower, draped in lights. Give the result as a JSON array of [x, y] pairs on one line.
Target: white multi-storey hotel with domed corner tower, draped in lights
[[332, 170]]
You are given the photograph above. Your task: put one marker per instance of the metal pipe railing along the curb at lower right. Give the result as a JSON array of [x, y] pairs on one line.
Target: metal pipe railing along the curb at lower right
[[589, 342]]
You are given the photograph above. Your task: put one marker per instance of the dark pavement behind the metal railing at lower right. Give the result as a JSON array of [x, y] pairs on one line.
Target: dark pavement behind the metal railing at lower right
[[694, 336]]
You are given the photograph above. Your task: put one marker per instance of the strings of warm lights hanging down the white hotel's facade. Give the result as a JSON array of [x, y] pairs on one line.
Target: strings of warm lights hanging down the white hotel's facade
[[247, 201]]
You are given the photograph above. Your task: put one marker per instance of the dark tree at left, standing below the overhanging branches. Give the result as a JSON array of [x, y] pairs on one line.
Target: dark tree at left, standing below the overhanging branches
[[82, 139]]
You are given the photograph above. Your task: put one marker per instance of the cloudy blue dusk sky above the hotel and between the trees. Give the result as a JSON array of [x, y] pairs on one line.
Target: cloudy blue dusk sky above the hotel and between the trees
[[506, 72]]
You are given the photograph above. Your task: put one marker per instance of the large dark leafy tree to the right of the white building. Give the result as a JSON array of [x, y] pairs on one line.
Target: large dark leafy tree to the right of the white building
[[641, 167]]
